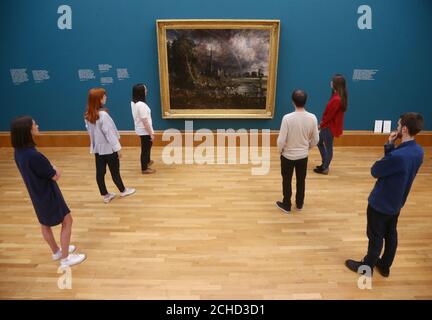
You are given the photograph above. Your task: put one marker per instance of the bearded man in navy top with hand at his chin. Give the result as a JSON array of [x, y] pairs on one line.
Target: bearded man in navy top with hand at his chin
[[395, 173]]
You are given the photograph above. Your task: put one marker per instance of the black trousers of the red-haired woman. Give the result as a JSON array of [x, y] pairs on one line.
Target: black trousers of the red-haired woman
[[113, 163]]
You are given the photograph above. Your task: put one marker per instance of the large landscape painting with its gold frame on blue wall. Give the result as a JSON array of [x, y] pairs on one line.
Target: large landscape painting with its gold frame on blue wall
[[218, 68]]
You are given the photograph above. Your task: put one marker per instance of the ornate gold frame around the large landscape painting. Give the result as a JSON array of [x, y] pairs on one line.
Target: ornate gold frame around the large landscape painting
[[169, 113]]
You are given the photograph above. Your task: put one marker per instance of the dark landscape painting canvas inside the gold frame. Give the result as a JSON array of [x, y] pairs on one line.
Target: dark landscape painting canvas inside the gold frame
[[218, 68]]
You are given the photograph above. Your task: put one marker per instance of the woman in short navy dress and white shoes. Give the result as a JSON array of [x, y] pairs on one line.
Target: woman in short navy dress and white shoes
[[40, 178]]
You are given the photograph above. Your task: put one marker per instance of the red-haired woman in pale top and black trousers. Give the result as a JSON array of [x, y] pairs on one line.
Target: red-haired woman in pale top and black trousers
[[104, 143]]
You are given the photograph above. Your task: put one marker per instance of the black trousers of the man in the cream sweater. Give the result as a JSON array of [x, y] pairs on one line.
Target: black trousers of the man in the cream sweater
[[287, 169]]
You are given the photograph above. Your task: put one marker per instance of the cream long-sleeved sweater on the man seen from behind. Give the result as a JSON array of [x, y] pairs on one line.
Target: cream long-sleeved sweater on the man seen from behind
[[298, 134]]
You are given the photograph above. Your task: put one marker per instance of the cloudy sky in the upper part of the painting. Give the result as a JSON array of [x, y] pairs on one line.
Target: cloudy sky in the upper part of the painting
[[237, 50]]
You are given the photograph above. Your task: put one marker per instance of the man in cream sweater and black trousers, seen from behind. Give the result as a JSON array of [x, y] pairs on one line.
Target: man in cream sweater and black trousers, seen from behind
[[298, 134]]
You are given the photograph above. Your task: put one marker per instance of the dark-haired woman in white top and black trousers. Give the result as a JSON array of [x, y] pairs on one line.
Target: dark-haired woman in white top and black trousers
[[143, 125]]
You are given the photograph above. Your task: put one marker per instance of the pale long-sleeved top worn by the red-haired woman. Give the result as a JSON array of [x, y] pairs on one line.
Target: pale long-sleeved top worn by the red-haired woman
[[104, 136]]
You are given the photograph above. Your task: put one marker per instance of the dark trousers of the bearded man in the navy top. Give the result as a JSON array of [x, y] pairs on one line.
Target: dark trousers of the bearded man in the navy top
[[381, 227]]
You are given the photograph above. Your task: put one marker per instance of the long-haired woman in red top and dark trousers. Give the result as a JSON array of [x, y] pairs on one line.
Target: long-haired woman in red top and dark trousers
[[332, 122]]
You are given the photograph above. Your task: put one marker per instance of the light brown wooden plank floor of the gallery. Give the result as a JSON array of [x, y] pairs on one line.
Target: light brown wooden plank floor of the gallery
[[212, 232]]
